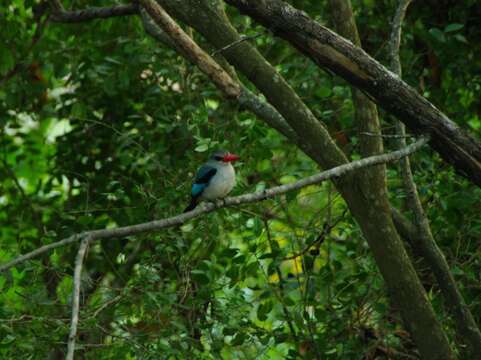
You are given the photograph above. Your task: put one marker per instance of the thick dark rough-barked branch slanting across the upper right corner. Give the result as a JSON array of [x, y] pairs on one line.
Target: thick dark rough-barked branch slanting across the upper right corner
[[331, 51]]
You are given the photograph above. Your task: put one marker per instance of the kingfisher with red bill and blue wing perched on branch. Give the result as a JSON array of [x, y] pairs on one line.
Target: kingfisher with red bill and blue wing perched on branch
[[214, 180]]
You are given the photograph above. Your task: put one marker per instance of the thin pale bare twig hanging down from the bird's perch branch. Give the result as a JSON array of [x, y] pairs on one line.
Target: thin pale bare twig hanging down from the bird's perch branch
[[76, 297]]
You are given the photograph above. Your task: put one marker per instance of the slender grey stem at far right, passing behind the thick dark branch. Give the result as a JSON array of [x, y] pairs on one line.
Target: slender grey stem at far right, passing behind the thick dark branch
[[468, 331]]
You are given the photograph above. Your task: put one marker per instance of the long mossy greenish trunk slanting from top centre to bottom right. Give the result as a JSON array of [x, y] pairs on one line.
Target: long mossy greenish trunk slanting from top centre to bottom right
[[208, 18]]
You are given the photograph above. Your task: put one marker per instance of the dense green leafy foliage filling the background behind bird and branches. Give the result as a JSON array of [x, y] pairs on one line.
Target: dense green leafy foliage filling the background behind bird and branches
[[103, 126]]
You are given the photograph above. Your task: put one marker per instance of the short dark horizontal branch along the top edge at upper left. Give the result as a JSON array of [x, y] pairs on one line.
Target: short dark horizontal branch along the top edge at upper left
[[75, 16]]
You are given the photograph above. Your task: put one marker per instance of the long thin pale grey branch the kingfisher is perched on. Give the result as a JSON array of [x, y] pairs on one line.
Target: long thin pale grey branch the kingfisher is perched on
[[230, 201]]
